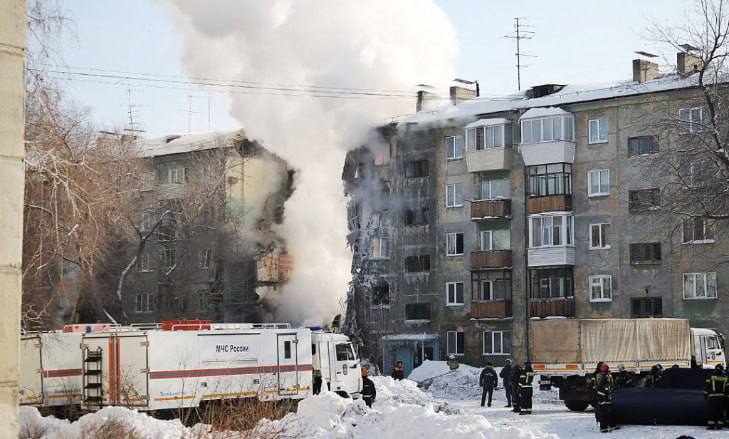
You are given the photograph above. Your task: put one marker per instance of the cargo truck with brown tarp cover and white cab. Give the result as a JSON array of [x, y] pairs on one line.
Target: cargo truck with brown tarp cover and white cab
[[564, 351]]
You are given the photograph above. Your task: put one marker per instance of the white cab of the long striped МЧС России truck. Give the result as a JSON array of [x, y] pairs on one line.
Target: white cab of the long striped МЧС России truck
[[334, 357]]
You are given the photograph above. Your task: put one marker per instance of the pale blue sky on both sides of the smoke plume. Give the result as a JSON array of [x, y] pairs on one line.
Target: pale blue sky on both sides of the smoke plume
[[574, 41]]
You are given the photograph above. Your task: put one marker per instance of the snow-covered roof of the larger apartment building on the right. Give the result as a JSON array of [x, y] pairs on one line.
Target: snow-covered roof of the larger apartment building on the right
[[569, 94]]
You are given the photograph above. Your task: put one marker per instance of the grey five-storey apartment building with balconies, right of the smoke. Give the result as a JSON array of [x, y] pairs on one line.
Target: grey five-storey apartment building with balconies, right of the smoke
[[468, 221]]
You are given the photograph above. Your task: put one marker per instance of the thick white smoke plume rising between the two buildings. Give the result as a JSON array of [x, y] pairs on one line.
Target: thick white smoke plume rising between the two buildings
[[380, 45]]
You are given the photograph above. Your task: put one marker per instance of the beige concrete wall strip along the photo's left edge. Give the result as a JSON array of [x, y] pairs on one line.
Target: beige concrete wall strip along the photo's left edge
[[12, 151]]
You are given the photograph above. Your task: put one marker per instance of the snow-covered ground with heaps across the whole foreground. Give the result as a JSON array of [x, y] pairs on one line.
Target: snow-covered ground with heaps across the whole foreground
[[449, 408]]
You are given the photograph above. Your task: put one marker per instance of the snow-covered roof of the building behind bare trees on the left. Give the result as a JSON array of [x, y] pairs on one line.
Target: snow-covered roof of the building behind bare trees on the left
[[182, 143]]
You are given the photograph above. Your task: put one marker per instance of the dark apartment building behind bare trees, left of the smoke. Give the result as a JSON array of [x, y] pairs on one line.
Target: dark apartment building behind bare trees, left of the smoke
[[204, 240]]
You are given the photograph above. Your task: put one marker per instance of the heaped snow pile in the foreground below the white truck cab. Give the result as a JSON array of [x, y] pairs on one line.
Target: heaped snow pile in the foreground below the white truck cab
[[401, 410]]
